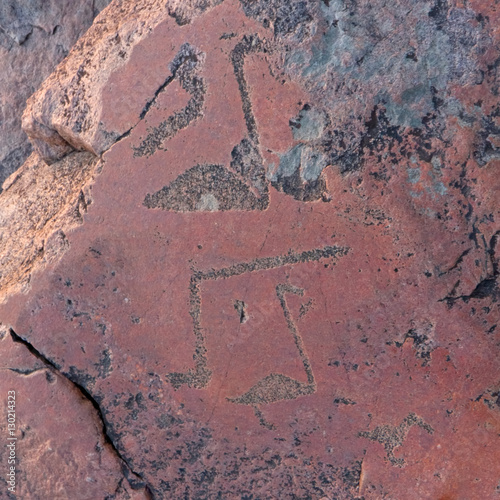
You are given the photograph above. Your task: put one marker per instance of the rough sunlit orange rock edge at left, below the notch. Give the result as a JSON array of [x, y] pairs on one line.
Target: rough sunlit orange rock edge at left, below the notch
[[40, 204]]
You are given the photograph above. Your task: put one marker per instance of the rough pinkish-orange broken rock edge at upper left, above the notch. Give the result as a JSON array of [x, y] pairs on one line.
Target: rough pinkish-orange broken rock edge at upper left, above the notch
[[67, 112]]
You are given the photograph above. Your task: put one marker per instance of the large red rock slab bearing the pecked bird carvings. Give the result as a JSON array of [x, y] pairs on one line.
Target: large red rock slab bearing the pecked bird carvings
[[285, 280]]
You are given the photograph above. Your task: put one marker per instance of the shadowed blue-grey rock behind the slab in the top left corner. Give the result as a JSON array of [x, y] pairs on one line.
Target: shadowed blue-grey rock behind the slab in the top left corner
[[35, 36]]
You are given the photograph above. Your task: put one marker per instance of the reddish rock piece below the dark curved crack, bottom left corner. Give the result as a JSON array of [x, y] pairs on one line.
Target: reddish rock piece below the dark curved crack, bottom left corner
[[59, 448]]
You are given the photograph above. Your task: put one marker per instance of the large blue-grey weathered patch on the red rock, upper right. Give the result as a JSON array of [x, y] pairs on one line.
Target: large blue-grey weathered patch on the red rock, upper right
[[396, 55]]
